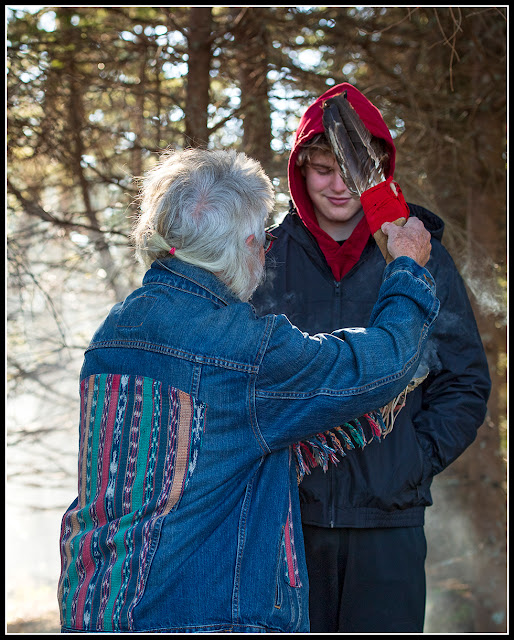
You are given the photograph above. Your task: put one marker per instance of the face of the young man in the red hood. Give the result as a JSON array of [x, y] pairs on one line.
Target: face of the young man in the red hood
[[334, 206]]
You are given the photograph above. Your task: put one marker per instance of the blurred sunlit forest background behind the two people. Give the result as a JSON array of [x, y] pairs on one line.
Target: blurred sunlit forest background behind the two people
[[95, 93]]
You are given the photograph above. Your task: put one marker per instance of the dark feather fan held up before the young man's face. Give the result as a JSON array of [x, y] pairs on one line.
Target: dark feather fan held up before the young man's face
[[351, 142]]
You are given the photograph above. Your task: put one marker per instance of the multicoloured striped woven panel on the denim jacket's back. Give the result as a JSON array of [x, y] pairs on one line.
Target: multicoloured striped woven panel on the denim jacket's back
[[139, 442]]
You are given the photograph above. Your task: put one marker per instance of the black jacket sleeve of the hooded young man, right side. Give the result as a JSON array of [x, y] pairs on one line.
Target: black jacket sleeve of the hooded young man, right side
[[457, 388]]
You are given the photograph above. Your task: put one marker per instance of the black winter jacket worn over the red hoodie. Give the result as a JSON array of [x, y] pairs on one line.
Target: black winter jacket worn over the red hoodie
[[386, 484]]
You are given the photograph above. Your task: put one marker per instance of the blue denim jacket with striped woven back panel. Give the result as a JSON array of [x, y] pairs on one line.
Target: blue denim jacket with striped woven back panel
[[187, 517]]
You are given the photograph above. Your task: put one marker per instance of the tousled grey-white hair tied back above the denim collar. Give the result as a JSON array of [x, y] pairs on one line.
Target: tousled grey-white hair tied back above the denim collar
[[205, 204]]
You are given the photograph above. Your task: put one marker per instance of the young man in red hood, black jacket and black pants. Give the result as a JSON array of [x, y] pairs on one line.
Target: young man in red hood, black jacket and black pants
[[363, 519]]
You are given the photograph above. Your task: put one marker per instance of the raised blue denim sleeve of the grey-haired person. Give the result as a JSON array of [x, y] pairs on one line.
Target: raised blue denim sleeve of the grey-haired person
[[308, 384]]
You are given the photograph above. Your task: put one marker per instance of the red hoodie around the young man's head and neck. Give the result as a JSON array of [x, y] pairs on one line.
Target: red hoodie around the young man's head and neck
[[340, 258]]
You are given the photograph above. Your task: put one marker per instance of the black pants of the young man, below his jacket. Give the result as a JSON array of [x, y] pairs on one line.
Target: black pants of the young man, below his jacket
[[366, 580]]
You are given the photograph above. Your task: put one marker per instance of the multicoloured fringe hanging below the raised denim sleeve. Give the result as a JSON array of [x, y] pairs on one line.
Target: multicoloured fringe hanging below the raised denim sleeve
[[323, 448]]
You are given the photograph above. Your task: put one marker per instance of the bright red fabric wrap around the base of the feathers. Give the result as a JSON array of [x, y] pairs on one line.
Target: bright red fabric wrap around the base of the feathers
[[380, 204]]
